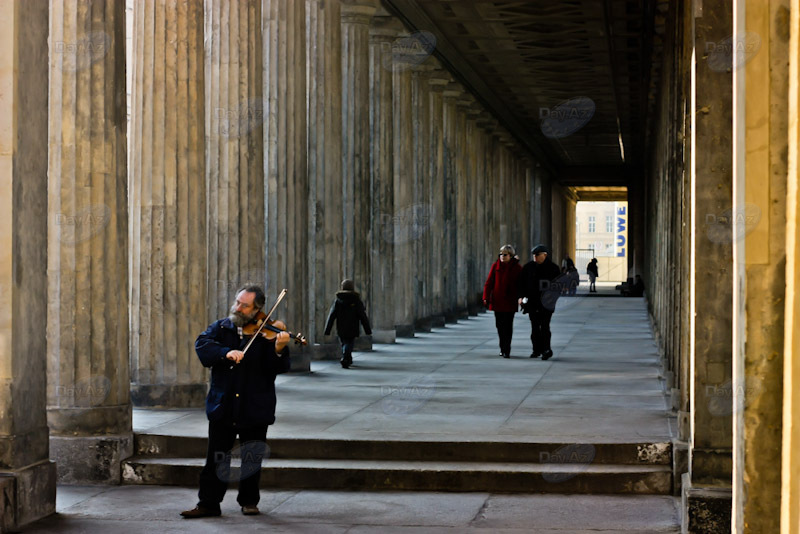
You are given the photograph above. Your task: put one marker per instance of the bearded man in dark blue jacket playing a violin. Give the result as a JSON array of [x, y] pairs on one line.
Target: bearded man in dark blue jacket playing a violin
[[240, 402]]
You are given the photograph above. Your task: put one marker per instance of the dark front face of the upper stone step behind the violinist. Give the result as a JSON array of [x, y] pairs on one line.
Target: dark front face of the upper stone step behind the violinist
[[162, 446]]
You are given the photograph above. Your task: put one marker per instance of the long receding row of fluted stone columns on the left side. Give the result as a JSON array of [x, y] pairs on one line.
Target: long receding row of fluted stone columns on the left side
[[252, 159]]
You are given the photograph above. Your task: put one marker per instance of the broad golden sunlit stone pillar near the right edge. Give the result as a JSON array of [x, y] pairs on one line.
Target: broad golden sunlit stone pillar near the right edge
[[760, 252]]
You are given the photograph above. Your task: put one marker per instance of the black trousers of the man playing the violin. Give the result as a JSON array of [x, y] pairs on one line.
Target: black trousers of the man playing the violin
[[216, 474]]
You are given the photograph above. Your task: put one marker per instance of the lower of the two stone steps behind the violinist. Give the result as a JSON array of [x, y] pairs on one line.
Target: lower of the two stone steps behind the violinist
[[365, 475]]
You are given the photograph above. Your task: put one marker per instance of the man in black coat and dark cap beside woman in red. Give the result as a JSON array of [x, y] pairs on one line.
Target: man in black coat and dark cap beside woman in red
[[538, 293]]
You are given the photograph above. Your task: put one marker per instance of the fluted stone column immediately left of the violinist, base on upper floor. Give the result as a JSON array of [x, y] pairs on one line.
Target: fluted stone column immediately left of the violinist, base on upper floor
[[168, 204]]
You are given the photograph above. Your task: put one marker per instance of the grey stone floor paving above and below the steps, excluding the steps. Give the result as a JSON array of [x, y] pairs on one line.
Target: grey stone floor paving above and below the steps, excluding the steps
[[602, 386]]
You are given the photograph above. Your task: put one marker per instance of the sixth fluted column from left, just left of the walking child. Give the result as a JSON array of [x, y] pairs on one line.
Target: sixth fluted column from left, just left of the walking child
[[326, 199]]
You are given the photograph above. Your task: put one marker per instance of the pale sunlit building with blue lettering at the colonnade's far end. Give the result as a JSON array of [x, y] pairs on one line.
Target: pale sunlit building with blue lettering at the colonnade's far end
[[601, 231]]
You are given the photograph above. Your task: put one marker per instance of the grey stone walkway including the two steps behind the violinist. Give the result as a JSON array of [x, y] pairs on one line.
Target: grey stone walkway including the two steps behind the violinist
[[435, 433]]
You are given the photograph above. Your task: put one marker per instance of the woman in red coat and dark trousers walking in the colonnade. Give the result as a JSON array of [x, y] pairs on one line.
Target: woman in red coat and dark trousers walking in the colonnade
[[500, 295]]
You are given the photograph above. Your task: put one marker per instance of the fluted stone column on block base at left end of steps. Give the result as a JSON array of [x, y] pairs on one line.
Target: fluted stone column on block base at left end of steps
[[88, 384]]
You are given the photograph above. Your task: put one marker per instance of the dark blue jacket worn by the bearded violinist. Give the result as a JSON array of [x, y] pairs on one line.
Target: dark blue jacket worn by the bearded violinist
[[241, 394]]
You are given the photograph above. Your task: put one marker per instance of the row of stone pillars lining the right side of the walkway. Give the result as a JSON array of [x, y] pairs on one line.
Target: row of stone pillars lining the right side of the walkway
[[719, 289]]
